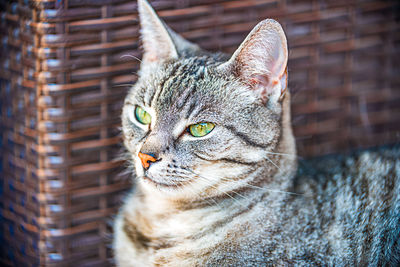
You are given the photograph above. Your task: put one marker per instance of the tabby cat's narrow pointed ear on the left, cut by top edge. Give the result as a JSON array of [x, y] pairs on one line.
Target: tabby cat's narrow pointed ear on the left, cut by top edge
[[159, 41]]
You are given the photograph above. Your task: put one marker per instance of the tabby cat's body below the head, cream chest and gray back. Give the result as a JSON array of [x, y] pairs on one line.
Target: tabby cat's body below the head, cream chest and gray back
[[340, 216]]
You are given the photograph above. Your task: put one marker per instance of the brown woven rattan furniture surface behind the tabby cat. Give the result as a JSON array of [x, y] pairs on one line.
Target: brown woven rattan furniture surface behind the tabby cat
[[67, 64]]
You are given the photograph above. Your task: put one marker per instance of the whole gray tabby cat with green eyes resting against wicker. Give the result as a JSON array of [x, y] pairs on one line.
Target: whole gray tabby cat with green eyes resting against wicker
[[210, 139]]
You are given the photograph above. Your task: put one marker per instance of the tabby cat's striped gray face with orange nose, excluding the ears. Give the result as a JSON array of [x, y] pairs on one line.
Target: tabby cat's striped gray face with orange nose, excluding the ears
[[181, 95]]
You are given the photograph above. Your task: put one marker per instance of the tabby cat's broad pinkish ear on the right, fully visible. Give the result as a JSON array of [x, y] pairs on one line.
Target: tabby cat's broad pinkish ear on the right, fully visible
[[261, 61]]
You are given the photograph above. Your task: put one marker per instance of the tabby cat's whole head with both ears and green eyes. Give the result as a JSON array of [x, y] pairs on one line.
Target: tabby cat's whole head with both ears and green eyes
[[197, 123]]
